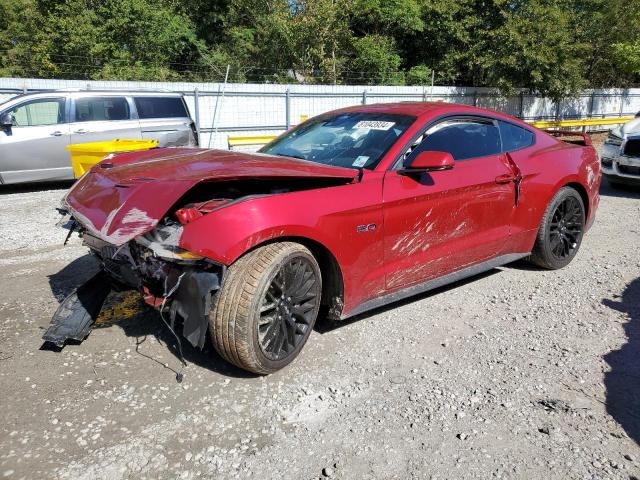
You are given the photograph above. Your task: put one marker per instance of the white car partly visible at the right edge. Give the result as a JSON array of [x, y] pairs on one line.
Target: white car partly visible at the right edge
[[621, 154]]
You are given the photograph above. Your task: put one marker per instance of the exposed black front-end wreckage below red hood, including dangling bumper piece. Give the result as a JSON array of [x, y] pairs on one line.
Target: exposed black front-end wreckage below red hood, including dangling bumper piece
[[174, 281]]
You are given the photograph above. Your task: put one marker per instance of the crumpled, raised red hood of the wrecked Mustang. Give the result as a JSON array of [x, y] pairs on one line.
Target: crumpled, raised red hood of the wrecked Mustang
[[127, 195]]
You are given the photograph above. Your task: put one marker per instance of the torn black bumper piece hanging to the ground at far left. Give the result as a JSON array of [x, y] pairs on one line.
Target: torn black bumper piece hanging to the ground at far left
[[78, 312]]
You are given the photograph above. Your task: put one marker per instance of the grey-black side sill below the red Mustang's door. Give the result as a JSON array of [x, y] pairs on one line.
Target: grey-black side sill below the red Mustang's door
[[435, 283]]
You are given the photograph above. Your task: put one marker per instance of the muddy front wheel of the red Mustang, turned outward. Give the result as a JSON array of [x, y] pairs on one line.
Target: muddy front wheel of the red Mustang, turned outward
[[266, 308]]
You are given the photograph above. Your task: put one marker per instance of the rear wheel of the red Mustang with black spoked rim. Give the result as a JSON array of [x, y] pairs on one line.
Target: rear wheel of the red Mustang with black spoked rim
[[561, 230]]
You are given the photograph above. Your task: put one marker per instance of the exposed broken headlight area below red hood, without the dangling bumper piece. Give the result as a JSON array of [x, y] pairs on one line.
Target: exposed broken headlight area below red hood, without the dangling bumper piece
[[175, 281]]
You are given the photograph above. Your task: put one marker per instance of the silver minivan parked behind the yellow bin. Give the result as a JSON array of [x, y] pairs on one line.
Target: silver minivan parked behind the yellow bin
[[36, 128]]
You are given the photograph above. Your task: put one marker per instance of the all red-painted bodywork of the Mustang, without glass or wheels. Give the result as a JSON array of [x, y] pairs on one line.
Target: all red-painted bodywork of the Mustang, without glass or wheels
[[386, 231]]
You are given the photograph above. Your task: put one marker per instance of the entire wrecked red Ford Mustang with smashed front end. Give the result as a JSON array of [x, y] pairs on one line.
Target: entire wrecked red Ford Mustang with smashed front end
[[348, 211]]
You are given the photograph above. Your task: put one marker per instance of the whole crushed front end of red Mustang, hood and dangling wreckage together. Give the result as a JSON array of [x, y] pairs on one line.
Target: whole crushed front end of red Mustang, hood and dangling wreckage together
[[134, 210]]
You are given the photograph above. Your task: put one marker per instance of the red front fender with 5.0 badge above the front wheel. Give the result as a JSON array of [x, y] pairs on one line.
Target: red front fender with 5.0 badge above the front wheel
[[329, 217]]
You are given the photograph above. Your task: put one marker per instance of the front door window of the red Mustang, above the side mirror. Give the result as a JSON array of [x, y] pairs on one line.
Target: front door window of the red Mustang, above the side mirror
[[462, 138]]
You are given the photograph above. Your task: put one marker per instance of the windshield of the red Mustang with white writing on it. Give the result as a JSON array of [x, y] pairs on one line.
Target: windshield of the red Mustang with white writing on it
[[355, 139]]
